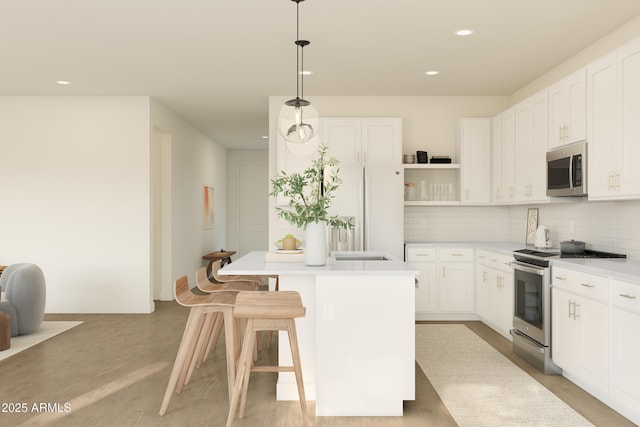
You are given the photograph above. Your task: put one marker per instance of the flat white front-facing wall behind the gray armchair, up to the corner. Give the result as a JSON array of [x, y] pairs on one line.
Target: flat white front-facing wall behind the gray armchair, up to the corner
[[74, 183]]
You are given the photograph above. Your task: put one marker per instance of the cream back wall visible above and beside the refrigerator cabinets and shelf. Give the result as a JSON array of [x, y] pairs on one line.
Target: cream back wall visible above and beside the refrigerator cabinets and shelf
[[428, 123]]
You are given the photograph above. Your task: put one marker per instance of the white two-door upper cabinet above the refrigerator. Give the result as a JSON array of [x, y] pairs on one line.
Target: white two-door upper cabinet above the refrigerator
[[356, 141]]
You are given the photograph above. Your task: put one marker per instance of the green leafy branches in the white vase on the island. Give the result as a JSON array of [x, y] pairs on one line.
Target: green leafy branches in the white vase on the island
[[309, 193]]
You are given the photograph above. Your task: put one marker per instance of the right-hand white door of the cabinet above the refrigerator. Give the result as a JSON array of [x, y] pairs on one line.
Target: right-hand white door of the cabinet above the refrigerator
[[382, 141]]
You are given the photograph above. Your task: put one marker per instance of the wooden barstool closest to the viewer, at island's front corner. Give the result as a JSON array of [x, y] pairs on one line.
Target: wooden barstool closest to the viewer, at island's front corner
[[266, 311]]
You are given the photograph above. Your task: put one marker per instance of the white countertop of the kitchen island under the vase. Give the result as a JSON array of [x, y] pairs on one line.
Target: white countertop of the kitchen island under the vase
[[254, 264]]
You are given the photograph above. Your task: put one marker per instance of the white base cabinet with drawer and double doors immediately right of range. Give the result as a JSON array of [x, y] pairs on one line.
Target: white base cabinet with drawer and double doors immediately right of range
[[580, 325]]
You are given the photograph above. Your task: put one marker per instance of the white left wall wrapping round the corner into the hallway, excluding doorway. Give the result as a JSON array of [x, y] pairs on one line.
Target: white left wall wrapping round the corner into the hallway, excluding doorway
[[76, 197]]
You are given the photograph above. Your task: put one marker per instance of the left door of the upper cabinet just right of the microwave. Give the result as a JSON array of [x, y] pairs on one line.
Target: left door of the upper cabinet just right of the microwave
[[602, 128]]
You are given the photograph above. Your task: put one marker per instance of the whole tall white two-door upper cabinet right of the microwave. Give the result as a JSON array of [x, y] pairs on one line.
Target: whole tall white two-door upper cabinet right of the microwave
[[613, 128]]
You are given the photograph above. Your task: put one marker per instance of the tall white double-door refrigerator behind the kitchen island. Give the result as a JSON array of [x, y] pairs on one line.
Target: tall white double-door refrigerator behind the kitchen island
[[374, 196]]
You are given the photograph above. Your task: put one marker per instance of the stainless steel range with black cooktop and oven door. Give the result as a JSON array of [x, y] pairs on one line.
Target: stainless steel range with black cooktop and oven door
[[532, 304]]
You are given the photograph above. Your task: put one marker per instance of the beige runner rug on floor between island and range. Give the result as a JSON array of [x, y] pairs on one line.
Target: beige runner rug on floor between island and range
[[481, 387]]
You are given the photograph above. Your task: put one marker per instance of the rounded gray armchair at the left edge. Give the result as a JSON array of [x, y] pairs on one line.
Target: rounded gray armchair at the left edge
[[24, 297]]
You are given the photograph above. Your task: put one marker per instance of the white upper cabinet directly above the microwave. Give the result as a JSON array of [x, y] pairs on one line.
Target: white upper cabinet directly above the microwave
[[567, 110]]
